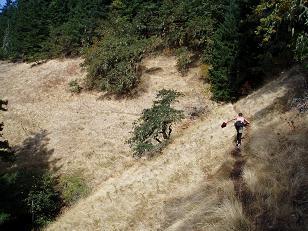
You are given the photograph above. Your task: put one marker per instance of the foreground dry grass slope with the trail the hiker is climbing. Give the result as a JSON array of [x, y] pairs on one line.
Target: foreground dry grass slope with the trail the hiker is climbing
[[197, 183]]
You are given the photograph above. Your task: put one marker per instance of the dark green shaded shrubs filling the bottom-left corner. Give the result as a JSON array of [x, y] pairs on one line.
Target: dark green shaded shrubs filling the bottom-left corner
[[28, 199]]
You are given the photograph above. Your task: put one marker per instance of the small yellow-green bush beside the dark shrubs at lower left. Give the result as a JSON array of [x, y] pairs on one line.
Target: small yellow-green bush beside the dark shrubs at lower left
[[73, 187]]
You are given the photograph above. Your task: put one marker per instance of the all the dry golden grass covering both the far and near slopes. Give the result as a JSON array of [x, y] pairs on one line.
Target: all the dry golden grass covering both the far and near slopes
[[199, 182]]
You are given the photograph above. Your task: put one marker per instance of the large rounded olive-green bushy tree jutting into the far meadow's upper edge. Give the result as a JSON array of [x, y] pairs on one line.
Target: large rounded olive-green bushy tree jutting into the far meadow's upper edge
[[112, 63]]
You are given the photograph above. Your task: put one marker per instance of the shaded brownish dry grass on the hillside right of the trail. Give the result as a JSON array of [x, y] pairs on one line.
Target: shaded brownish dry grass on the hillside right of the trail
[[276, 171]]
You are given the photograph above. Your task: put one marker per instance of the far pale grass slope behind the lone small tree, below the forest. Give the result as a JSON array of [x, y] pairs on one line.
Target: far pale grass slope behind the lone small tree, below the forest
[[54, 129]]
